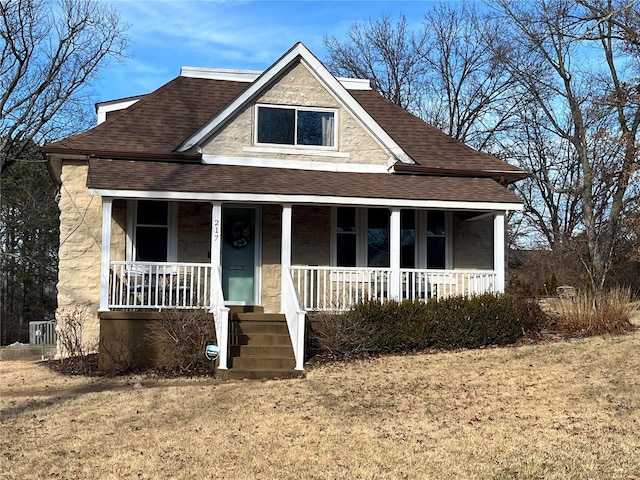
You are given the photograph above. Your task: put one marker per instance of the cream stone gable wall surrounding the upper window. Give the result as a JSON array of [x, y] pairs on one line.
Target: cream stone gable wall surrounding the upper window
[[300, 88]]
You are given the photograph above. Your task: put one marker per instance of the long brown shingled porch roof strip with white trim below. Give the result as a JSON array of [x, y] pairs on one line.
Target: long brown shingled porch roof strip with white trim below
[[200, 182]]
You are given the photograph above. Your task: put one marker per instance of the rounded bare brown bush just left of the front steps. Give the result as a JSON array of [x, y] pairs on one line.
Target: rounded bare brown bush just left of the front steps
[[181, 336]]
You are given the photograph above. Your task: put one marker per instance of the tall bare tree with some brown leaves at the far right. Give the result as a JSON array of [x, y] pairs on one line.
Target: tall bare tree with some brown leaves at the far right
[[578, 67]]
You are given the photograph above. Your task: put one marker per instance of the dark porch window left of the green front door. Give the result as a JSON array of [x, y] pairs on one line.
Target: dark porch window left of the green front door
[[151, 231]]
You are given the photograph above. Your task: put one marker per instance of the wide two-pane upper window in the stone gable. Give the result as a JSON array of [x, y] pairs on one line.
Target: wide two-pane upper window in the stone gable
[[297, 126]]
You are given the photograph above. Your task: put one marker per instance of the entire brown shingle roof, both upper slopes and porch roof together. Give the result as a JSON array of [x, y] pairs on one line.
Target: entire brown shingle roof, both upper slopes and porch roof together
[[147, 134]]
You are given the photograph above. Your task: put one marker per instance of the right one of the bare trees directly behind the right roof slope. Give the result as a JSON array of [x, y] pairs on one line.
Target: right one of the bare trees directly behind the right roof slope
[[467, 93]]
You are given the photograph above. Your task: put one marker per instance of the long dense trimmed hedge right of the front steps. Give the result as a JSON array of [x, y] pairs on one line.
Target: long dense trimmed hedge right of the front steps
[[455, 322]]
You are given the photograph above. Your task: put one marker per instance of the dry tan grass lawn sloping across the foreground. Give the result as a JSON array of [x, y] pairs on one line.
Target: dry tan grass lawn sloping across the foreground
[[561, 410]]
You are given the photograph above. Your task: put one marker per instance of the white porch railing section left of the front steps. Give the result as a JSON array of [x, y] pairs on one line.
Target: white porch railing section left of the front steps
[[159, 285]]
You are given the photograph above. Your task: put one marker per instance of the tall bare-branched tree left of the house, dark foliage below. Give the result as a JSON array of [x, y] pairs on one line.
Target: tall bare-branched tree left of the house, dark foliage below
[[50, 51]]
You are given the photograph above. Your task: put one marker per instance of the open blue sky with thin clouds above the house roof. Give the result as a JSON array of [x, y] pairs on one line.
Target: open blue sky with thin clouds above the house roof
[[167, 34]]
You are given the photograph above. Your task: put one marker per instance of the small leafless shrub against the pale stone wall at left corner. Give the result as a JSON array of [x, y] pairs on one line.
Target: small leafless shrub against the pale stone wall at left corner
[[70, 329]]
